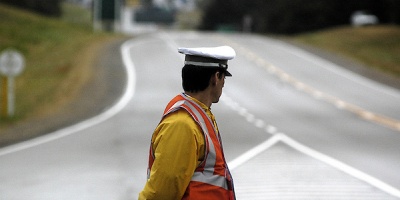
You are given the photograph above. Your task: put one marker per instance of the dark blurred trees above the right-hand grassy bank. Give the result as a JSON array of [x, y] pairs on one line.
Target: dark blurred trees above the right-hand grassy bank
[[294, 16]]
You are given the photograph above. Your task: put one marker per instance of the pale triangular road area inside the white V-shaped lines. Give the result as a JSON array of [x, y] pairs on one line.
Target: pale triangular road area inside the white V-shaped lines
[[282, 172]]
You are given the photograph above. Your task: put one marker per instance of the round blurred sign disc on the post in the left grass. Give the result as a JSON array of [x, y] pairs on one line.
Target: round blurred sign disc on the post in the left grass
[[11, 63]]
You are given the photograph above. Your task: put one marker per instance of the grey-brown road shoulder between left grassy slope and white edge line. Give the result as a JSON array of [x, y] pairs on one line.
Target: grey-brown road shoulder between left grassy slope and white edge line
[[103, 90]]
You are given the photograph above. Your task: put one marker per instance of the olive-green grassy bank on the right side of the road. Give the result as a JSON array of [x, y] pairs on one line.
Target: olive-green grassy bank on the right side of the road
[[374, 46]]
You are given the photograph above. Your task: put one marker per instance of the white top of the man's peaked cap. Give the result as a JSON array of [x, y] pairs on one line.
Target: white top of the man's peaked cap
[[220, 53]]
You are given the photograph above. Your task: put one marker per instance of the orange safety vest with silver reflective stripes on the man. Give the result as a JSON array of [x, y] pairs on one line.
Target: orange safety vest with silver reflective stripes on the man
[[212, 179]]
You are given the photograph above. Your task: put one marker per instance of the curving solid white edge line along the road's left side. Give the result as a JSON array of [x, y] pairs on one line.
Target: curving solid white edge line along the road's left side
[[122, 102]]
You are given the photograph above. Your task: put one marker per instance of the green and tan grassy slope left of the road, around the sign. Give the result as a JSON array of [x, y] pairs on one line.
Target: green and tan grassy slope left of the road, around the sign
[[59, 55]]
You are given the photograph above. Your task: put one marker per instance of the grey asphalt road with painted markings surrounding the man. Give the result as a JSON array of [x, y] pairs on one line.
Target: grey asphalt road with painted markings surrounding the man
[[294, 126]]
